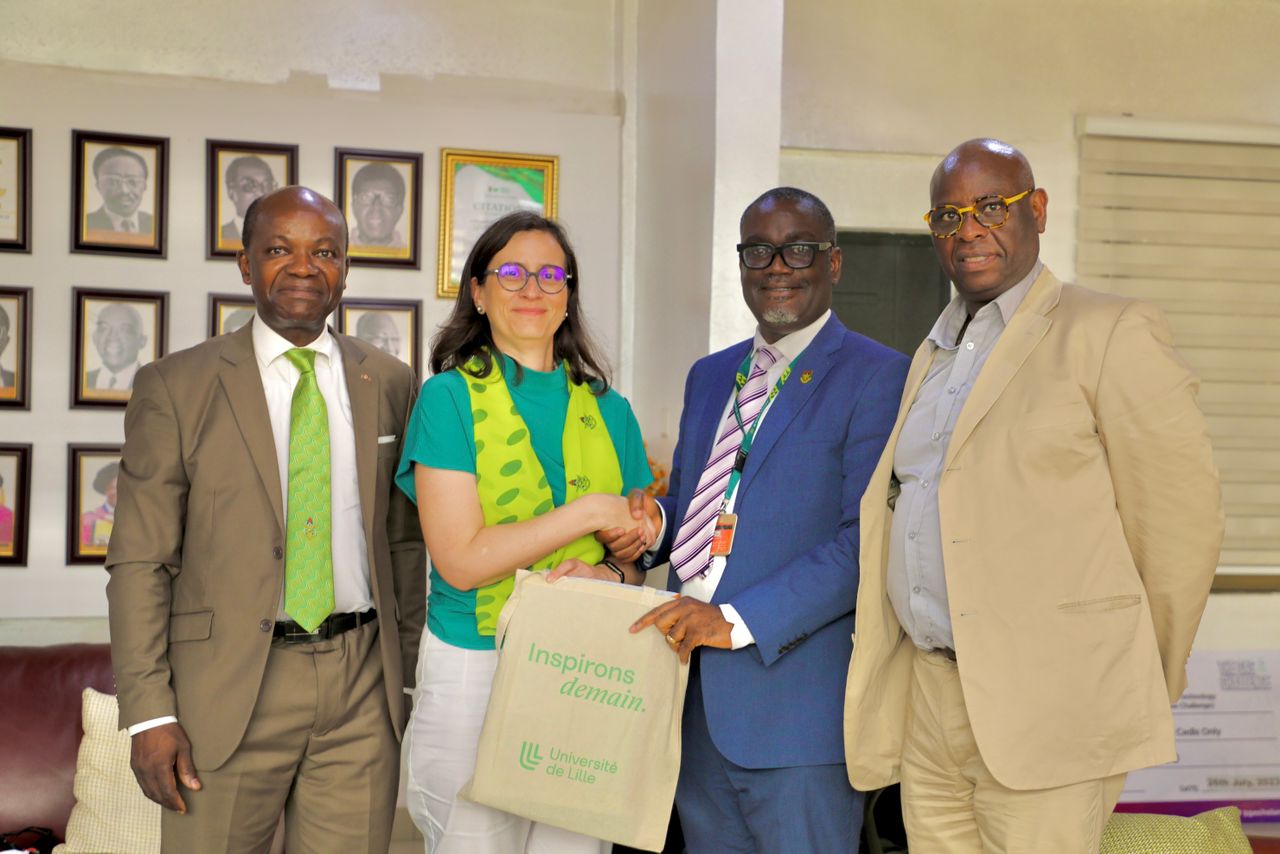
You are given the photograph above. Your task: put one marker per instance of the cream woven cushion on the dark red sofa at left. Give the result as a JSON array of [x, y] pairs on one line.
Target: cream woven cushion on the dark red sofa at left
[[112, 814]]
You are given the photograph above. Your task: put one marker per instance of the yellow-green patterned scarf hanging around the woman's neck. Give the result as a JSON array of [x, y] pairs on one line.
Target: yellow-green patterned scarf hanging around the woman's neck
[[513, 483]]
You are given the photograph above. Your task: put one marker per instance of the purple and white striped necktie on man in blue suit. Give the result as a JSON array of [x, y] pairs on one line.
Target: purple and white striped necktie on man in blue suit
[[691, 555]]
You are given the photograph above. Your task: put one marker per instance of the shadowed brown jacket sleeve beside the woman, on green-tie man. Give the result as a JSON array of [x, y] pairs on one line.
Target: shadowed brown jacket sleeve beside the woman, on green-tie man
[[409, 559]]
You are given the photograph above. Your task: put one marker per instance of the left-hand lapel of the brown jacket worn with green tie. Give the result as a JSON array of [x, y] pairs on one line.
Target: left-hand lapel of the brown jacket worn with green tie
[[243, 382]]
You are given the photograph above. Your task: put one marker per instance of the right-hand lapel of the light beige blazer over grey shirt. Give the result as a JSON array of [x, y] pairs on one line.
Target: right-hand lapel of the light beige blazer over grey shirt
[[1026, 330]]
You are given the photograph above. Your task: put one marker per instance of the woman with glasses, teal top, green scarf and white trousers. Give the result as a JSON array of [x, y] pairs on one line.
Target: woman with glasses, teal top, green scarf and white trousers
[[518, 453]]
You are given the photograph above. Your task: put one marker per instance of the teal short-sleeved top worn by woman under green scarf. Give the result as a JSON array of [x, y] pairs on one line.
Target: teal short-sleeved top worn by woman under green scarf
[[441, 436]]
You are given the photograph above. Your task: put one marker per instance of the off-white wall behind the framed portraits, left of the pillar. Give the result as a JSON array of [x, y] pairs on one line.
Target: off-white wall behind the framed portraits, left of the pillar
[[563, 104]]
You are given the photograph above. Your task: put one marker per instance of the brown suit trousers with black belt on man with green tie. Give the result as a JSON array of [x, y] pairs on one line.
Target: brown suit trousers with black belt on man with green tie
[[319, 748]]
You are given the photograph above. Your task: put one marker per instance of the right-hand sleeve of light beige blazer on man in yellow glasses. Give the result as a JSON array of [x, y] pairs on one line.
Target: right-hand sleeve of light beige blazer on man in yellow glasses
[[1167, 485]]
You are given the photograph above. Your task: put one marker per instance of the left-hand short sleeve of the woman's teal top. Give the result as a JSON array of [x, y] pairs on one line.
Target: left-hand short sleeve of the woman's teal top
[[441, 433]]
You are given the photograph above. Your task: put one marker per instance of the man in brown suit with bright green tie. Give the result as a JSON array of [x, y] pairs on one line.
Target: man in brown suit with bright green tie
[[222, 691]]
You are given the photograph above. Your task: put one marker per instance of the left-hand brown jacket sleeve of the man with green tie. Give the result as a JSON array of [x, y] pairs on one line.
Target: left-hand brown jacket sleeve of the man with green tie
[[145, 551]]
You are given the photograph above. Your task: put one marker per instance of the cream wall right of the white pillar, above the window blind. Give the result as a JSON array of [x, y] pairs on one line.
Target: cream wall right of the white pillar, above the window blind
[[916, 77]]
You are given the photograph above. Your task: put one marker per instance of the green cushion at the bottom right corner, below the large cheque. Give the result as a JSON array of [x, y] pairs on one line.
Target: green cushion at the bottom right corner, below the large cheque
[[1214, 833]]
